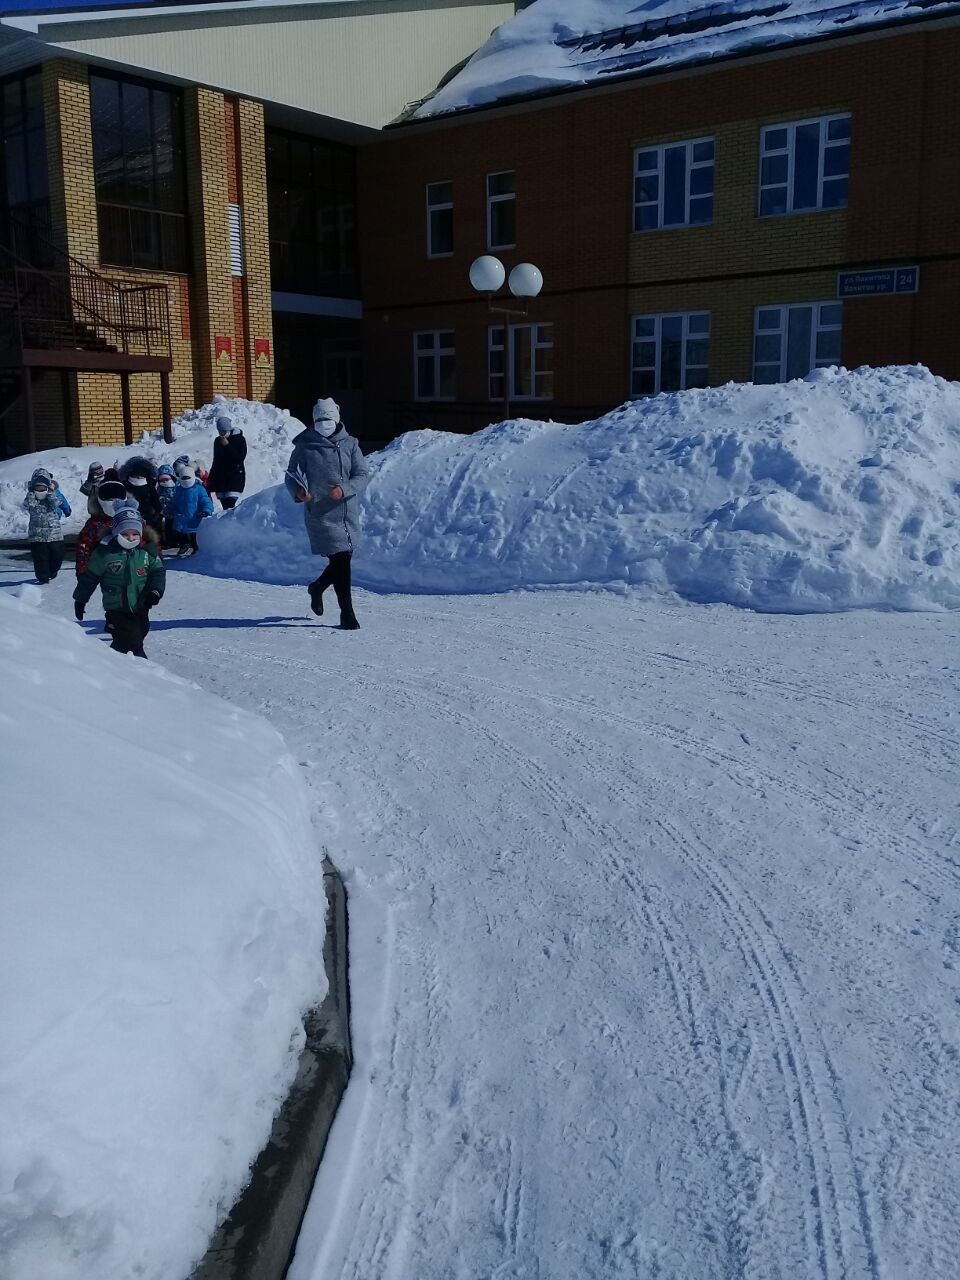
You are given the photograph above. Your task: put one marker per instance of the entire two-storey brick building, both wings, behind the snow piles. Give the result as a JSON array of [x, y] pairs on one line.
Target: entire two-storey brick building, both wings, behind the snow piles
[[697, 218]]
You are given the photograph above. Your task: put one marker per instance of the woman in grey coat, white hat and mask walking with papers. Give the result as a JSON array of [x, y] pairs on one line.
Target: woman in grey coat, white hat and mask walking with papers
[[327, 473]]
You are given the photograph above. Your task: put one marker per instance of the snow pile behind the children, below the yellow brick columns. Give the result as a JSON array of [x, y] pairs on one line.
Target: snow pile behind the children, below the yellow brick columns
[[269, 432]]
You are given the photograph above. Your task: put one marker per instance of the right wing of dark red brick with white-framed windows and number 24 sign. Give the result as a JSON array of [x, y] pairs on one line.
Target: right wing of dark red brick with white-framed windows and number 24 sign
[[707, 225]]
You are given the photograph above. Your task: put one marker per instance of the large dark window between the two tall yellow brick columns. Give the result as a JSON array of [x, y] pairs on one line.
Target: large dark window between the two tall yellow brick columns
[[139, 173]]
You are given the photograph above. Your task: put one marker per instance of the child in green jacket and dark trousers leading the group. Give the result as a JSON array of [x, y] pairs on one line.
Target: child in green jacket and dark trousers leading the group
[[131, 578]]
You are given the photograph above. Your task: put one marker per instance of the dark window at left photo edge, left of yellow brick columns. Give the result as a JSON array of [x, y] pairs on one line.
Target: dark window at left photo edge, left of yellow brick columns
[[25, 203]]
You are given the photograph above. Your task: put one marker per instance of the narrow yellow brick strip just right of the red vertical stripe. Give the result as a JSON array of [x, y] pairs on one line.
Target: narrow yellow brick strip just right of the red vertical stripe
[[257, 244]]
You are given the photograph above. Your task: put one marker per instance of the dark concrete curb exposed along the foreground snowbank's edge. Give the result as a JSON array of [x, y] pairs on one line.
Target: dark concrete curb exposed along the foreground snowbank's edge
[[258, 1240]]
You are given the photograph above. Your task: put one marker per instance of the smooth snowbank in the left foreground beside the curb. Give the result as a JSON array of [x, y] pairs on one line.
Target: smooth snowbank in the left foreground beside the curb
[[162, 922]]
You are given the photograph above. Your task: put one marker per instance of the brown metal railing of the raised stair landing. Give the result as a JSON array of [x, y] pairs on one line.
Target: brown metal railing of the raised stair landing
[[72, 307]]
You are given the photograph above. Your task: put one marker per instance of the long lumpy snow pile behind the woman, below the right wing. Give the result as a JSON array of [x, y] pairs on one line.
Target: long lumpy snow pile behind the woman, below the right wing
[[838, 492]]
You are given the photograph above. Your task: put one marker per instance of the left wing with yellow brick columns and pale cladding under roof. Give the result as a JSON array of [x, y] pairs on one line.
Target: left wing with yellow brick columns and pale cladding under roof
[[179, 202]]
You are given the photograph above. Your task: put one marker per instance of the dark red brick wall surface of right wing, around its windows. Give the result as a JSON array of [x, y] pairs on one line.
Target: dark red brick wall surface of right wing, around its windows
[[574, 166]]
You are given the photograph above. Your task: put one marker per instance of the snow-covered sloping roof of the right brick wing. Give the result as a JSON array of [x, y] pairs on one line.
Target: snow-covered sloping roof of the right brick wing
[[572, 44]]
